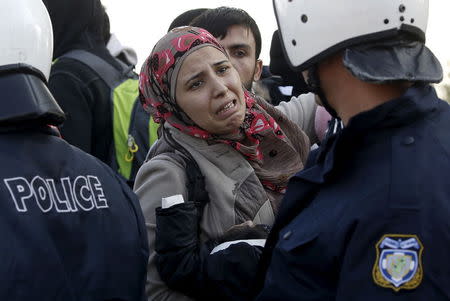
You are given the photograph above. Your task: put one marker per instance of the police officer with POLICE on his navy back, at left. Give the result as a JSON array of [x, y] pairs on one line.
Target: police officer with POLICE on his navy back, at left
[[70, 229]]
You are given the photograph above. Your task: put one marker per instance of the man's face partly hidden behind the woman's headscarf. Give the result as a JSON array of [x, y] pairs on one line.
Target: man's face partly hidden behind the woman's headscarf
[[241, 48]]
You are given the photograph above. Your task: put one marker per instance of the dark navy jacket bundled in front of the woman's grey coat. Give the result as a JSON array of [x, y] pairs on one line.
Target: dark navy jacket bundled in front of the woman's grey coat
[[187, 265]]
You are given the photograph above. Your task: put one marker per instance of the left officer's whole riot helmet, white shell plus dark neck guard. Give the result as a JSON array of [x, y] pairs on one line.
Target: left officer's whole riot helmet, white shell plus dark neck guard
[[26, 48]]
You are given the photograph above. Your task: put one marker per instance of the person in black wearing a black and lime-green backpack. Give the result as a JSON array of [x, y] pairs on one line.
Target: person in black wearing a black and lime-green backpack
[[98, 92]]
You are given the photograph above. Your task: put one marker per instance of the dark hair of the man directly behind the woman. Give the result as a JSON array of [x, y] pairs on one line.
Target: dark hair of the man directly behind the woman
[[218, 20]]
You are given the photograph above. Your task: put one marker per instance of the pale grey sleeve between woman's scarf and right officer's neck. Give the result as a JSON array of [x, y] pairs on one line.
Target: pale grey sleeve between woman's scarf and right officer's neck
[[302, 111]]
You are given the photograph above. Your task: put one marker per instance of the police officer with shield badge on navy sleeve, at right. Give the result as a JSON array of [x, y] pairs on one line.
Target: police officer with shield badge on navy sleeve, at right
[[369, 216]]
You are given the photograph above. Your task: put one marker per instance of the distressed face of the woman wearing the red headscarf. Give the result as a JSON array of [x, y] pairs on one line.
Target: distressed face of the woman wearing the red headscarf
[[210, 92]]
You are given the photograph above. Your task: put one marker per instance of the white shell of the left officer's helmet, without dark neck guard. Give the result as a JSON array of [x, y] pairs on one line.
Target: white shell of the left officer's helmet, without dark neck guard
[[26, 35]]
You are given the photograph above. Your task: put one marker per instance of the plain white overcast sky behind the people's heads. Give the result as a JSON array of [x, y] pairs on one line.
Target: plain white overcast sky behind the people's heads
[[140, 23]]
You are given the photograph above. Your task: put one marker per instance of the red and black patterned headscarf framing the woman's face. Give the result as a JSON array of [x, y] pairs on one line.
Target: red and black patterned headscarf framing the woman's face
[[157, 85]]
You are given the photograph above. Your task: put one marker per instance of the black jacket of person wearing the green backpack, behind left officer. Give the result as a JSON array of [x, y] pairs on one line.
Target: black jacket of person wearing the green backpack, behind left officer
[[81, 93]]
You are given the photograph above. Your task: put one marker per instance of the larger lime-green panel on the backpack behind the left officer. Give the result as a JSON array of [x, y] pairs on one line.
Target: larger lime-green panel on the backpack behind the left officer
[[122, 109]]
